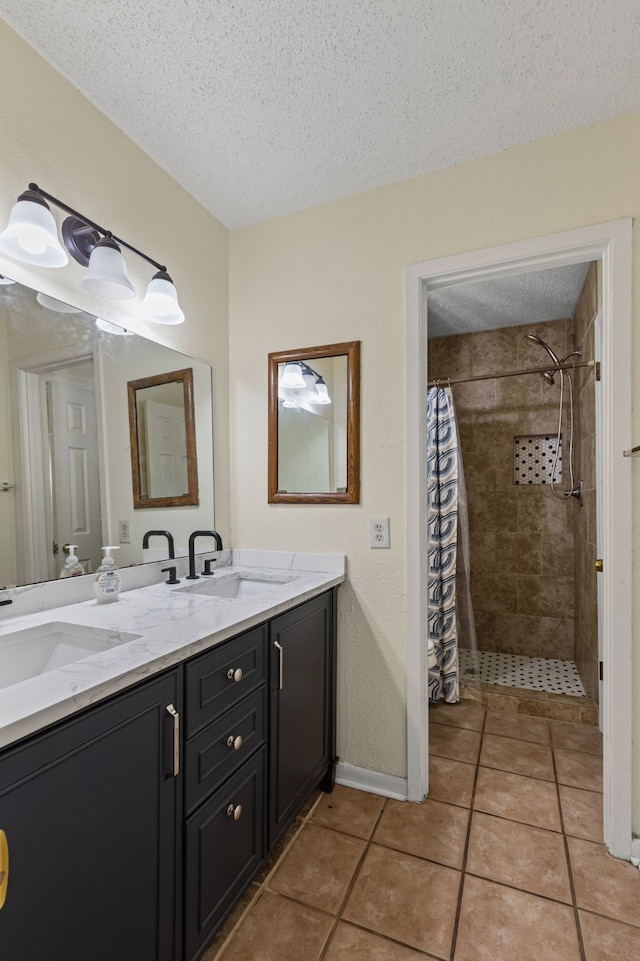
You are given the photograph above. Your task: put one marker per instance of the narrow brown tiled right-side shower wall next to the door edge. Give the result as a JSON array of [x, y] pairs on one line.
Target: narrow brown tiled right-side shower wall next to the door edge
[[586, 612]]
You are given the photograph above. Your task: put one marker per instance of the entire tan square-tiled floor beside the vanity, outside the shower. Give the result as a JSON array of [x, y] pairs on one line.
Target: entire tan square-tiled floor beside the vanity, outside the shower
[[503, 862]]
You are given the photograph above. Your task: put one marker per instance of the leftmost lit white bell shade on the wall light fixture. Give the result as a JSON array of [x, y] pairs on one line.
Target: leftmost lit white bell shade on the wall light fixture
[[31, 234]]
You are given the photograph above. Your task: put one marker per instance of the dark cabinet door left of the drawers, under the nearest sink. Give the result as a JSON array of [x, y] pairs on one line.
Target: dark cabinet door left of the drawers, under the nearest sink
[[89, 810]]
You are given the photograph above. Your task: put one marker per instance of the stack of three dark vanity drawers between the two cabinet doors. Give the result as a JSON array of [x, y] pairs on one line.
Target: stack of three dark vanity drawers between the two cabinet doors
[[224, 841]]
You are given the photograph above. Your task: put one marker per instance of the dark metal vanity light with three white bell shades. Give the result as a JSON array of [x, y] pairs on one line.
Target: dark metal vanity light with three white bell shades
[[32, 237]]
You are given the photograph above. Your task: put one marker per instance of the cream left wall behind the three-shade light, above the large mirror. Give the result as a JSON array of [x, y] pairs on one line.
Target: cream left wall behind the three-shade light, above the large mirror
[[52, 135]]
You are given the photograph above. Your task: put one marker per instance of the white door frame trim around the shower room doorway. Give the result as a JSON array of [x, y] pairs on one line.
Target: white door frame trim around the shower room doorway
[[611, 244]]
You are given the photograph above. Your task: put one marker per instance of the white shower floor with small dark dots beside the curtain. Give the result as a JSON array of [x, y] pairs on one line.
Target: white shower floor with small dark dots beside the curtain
[[530, 673]]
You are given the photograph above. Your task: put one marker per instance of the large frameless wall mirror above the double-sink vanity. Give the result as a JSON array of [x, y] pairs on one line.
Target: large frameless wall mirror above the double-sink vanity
[[65, 462]]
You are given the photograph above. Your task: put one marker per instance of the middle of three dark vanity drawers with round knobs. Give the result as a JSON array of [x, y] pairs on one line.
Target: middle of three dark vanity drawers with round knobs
[[224, 745]]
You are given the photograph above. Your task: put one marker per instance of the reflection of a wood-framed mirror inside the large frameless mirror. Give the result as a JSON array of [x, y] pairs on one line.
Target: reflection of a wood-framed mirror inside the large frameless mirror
[[164, 467]]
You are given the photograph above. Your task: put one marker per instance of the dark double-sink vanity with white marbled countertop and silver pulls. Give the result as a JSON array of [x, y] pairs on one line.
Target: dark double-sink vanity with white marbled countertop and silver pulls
[[135, 823]]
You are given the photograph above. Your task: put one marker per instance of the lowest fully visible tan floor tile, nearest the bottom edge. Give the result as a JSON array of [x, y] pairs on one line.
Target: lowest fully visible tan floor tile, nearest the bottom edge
[[407, 899]]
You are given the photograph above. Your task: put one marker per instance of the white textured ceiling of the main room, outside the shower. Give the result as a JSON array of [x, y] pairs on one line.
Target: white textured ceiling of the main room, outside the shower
[[263, 107]]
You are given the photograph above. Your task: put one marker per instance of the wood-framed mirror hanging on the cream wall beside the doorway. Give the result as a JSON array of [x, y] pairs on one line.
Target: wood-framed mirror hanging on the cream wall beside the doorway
[[314, 425]]
